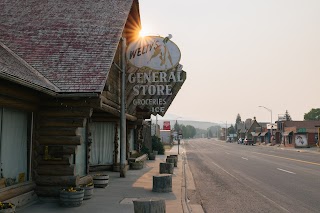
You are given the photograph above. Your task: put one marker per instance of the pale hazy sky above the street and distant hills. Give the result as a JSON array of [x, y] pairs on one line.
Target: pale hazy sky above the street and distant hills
[[239, 54]]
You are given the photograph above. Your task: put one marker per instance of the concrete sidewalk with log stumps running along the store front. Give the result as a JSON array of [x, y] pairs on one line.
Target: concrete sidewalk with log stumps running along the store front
[[119, 194]]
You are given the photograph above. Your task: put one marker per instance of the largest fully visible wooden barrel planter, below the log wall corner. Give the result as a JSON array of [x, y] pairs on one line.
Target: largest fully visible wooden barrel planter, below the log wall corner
[[71, 198]]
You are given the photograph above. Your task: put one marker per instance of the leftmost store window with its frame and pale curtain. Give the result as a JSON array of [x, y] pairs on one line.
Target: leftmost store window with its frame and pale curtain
[[15, 143]]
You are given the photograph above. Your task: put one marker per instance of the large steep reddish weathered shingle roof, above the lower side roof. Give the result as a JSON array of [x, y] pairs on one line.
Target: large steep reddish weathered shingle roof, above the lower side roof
[[71, 43]]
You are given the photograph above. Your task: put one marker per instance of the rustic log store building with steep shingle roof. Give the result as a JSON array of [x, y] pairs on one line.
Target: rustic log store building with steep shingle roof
[[60, 92]]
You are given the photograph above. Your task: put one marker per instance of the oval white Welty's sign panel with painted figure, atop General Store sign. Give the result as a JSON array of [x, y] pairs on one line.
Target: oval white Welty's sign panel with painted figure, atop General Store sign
[[154, 52]]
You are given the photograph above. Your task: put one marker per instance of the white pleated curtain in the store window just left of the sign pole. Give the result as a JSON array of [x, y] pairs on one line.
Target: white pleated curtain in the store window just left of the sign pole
[[102, 146]]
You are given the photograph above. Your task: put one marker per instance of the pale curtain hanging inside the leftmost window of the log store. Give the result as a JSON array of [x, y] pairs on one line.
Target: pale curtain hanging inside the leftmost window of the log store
[[14, 143]]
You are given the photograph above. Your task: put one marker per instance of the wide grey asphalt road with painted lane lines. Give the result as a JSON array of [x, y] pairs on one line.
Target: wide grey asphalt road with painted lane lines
[[230, 177]]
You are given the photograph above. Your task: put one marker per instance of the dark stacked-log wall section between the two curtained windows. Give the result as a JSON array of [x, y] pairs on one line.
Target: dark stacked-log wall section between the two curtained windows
[[57, 134]]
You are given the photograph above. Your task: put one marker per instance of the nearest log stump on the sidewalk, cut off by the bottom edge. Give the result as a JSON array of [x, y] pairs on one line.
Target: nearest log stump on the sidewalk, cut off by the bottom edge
[[148, 205]]
